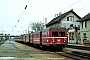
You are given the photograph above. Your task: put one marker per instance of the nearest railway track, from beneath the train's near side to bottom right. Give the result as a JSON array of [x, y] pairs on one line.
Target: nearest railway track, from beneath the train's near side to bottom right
[[76, 55]]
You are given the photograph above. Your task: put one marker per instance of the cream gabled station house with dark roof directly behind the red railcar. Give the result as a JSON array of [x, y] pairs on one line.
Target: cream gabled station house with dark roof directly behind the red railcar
[[69, 21]]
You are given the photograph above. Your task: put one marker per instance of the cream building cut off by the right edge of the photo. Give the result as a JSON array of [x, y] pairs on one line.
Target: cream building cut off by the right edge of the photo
[[85, 27]]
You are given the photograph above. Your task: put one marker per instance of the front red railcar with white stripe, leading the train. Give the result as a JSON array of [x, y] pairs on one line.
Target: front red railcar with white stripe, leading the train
[[54, 37]]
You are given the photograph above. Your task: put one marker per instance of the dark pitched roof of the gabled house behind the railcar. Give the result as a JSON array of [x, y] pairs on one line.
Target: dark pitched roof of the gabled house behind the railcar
[[57, 19]]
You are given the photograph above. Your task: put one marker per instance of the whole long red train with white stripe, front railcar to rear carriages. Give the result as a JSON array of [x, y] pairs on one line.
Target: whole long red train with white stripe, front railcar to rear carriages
[[48, 38]]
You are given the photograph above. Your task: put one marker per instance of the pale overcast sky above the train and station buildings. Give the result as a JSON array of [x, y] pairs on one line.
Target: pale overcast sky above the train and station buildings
[[37, 10]]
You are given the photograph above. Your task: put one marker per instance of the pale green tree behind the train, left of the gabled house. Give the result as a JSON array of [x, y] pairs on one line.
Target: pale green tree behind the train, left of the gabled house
[[37, 26]]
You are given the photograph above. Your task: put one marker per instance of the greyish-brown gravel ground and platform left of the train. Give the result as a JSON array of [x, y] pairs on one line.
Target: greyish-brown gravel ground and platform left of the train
[[16, 51]]
